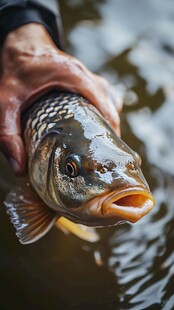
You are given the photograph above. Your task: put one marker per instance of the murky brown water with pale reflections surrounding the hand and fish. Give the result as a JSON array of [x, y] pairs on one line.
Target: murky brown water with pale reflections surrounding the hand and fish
[[132, 267]]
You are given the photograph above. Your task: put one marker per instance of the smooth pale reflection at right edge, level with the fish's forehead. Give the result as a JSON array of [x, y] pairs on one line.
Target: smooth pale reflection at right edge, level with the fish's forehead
[[156, 130]]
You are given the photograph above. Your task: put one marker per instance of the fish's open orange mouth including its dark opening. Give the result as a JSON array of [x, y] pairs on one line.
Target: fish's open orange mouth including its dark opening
[[129, 204]]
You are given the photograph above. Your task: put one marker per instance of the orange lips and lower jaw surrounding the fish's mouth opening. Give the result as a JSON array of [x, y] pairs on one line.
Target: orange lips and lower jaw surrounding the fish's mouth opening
[[101, 211]]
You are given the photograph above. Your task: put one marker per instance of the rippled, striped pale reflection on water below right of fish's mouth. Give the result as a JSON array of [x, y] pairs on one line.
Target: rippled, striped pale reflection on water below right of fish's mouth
[[141, 259]]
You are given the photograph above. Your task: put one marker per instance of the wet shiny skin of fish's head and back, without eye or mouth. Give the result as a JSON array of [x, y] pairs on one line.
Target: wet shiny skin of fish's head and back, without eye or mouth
[[77, 128]]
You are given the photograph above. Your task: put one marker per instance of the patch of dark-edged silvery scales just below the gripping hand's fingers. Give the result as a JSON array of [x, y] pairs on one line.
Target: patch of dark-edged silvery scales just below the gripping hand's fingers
[[46, 115]]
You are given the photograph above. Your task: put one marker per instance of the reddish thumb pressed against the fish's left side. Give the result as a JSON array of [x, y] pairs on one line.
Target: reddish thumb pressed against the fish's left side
[[11, 143]]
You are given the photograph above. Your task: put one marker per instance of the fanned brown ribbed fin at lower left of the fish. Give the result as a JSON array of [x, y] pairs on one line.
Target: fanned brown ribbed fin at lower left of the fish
[[31, 217]]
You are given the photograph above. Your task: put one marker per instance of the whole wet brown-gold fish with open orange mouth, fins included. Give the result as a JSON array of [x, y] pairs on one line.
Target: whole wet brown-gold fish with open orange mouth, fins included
[[80, 173]]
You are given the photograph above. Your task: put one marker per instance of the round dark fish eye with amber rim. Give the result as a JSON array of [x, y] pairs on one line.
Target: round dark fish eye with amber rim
[[72, 165]]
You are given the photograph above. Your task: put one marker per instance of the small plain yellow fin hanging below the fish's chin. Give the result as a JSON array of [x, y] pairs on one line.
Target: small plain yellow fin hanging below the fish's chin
[[83, 232]]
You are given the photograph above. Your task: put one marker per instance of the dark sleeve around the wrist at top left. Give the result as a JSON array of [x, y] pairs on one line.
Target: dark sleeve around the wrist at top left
[[15, 13]]
